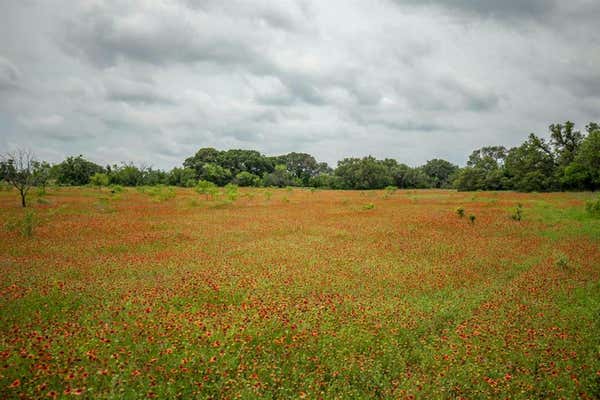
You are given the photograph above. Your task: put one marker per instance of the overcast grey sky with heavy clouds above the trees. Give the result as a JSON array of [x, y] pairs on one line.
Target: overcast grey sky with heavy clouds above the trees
[[153, 81]]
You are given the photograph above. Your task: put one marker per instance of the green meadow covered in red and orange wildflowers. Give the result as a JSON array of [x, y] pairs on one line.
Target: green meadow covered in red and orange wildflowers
[[299, 294]]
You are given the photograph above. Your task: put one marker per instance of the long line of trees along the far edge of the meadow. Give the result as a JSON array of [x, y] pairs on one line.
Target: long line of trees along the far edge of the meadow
[[570, 160]]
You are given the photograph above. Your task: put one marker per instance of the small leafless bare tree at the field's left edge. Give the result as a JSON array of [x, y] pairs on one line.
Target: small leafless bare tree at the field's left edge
[[19, 169]]
